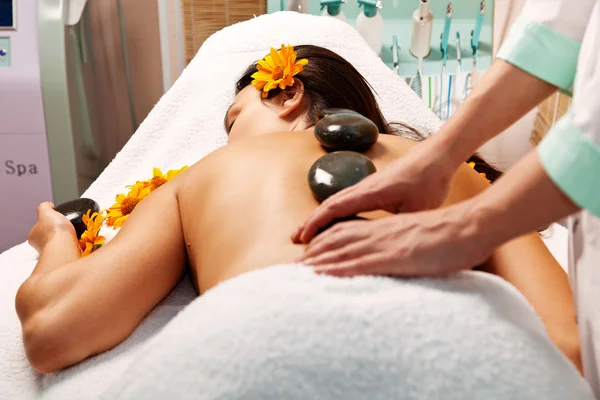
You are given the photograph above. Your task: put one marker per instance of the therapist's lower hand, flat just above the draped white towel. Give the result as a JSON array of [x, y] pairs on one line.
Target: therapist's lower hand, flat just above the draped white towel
[[417, 244]]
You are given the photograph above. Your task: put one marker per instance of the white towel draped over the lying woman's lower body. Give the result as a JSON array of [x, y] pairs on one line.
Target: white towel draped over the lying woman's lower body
[[286, 333]]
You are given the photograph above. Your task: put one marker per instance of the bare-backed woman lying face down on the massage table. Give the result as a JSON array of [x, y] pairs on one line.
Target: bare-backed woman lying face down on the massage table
[[231, 213]]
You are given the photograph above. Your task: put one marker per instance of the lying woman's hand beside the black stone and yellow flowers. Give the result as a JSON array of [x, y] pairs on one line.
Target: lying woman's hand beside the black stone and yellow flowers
[[50, 224]]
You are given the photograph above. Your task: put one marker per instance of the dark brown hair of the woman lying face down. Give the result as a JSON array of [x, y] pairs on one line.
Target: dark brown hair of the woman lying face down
[[332, 82]]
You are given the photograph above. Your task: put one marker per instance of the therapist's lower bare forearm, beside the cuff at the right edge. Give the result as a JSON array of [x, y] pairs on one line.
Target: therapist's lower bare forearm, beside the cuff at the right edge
[[522, 201]]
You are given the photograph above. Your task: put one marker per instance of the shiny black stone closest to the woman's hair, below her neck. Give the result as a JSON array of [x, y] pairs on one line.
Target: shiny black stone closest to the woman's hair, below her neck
[[346, 131]]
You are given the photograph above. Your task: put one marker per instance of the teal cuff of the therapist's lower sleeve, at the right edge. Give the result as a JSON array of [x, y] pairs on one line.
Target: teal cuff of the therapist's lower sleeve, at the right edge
[[572, 161]]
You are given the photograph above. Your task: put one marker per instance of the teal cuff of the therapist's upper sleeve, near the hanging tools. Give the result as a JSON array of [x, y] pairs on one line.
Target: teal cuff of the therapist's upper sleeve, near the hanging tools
[[541, 52]]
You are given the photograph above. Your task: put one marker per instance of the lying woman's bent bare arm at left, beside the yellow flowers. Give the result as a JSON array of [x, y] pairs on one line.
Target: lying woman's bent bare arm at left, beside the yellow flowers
[[72, 308]]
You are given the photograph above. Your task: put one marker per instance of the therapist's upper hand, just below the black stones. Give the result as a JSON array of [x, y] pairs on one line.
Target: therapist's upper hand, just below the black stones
[[418, 181]]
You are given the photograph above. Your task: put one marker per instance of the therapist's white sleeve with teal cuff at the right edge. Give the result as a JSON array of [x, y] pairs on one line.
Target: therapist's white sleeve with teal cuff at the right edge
[[570, 153]]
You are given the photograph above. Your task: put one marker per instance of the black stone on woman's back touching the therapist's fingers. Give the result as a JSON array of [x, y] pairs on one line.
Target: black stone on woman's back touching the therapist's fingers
[[337, 171]]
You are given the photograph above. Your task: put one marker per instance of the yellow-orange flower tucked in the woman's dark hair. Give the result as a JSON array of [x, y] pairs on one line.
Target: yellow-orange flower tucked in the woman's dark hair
[[277, 69]]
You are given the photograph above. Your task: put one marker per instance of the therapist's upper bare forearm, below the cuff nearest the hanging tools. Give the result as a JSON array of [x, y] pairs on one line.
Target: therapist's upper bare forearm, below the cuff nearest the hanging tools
[[503, 96]]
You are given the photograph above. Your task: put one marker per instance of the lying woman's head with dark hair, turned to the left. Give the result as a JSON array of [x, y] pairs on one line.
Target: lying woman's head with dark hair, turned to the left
[[327, 81]]
